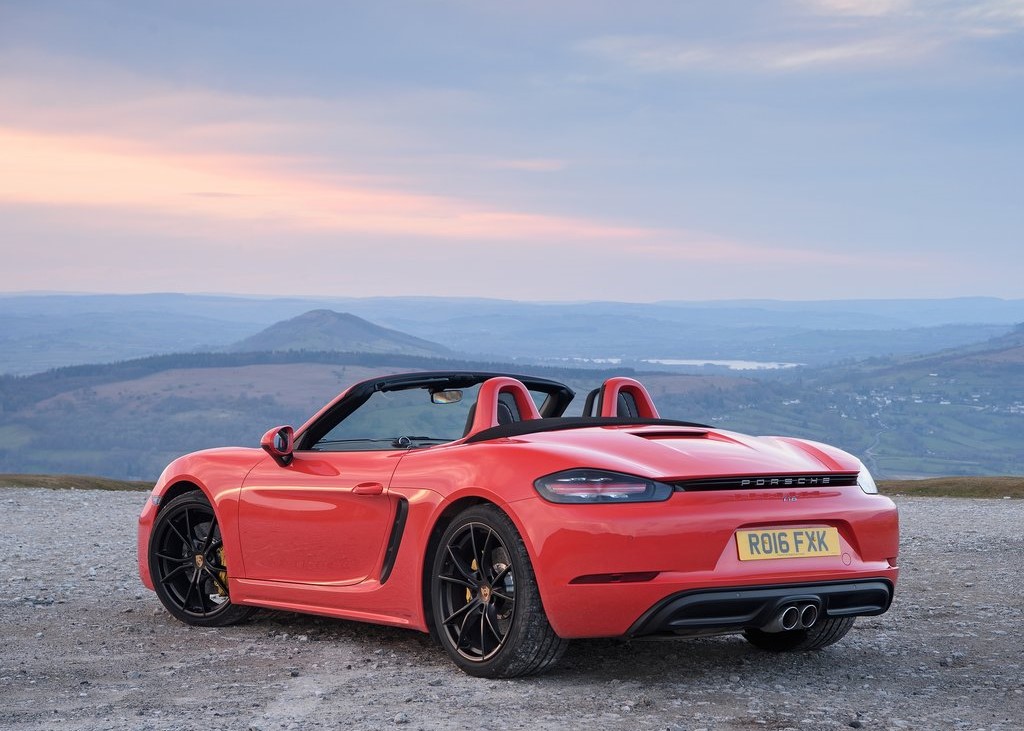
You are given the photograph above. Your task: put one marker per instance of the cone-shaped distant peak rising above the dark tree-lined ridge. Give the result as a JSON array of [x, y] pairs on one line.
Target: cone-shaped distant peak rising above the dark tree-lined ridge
[[330, 331]]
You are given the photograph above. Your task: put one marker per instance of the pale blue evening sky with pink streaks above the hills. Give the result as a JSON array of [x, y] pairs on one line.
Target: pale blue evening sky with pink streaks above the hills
[[648, 151]]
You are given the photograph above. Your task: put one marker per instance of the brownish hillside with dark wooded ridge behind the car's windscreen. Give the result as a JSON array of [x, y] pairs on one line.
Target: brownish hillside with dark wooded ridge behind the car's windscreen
[[129, 420]]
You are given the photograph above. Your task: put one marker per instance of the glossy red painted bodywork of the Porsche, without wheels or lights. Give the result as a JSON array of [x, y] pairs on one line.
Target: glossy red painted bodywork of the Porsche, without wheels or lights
[[314, 536]]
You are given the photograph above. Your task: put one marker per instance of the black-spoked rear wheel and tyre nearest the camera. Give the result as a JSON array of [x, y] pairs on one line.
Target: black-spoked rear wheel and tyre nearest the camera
[[487, 610]]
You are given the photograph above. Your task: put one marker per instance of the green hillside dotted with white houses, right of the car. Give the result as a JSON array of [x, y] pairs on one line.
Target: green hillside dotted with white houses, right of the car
[[959, 412]]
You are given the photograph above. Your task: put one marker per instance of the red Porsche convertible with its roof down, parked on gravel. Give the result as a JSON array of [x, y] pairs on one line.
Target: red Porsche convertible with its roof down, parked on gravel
[[468, 506]]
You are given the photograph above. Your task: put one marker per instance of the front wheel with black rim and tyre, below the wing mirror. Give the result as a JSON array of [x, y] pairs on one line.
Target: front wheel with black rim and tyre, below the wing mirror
[[187, 563]]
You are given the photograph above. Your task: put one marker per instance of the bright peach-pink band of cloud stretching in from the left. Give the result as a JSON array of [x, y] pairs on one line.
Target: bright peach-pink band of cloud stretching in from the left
[[70, 170]]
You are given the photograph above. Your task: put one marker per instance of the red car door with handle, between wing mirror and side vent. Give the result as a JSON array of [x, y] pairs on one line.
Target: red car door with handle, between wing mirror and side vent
[[323, 520]]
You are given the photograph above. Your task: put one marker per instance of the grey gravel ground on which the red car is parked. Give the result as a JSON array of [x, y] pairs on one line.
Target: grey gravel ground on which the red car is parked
[[86, 647]]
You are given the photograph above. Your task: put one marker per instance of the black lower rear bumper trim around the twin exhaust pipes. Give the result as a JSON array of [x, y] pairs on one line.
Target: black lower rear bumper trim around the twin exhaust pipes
[[736, 610]]
